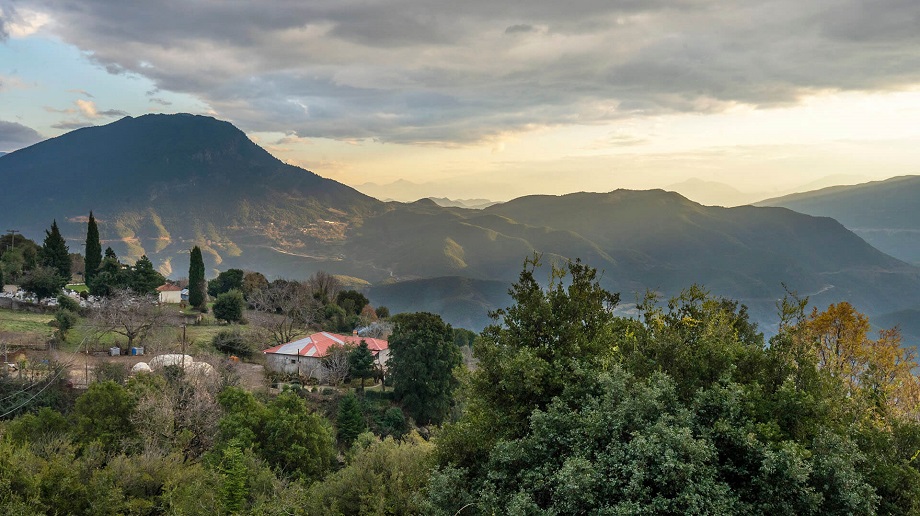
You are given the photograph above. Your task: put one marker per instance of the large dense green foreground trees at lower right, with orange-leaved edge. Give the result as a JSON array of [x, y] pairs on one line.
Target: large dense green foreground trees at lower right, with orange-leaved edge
[[575, 411]]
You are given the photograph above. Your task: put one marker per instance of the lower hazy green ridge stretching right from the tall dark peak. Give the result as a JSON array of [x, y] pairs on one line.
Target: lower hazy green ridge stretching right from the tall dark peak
[[643, 240]]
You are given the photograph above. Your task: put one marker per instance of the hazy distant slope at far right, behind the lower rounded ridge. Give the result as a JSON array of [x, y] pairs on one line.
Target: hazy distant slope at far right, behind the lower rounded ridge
[[885, 213]]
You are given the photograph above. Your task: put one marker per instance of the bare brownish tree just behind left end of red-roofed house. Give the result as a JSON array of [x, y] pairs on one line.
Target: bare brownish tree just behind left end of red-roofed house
[[283, 308]]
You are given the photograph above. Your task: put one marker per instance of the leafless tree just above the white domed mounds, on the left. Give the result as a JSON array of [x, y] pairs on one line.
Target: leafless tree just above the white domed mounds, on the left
[[128, 314]]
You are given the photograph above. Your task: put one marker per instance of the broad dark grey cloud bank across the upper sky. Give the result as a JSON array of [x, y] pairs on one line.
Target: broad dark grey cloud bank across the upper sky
[[456, 72]]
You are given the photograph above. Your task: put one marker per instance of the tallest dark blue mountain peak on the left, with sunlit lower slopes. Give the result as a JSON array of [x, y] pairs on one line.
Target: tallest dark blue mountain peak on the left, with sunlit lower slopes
[[160, 184]]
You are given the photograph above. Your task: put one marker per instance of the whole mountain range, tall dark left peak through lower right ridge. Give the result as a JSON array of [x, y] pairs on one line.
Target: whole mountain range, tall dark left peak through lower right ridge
[[160, 184]]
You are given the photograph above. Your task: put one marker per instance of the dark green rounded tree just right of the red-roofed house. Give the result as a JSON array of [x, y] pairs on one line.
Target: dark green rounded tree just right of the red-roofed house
[[422, 361]]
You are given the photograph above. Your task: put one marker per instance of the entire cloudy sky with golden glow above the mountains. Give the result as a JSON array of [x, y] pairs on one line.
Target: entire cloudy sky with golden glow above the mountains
[[734, 100]]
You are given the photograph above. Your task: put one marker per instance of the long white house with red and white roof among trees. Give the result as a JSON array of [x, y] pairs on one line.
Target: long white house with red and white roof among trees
[[304, 356]]
